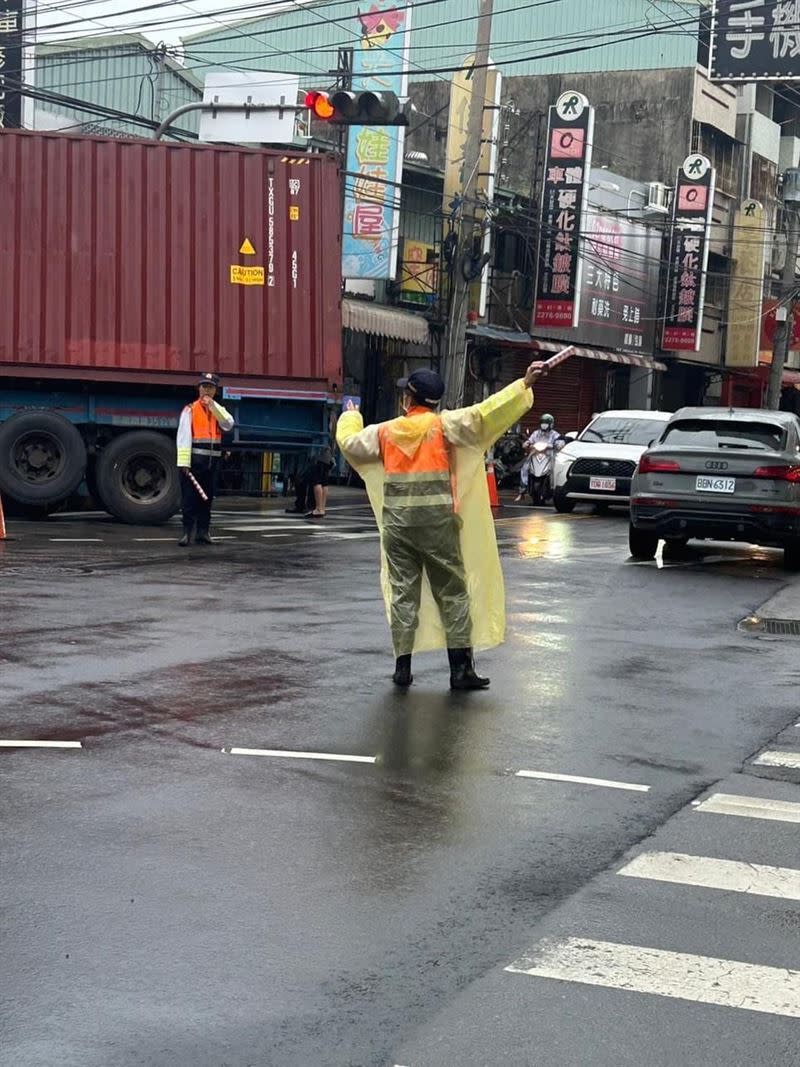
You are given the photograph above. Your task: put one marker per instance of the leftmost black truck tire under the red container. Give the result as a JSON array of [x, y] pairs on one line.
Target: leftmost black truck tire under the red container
[[42, 458]]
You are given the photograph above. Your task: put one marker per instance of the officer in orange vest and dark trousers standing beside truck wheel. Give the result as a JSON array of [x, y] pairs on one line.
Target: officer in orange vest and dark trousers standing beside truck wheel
[[200, 451]]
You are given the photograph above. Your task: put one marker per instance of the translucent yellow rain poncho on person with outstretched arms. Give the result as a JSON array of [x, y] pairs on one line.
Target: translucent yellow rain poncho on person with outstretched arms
[[469, 434]]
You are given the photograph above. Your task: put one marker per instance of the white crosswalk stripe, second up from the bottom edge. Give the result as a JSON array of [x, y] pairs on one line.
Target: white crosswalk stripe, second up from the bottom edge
[[708, 873]]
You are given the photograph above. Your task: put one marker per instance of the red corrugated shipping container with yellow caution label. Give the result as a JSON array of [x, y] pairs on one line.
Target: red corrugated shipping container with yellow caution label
[[121, 260]]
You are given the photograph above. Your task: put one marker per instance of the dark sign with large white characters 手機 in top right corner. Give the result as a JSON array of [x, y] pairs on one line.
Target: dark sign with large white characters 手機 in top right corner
[[756, 40]]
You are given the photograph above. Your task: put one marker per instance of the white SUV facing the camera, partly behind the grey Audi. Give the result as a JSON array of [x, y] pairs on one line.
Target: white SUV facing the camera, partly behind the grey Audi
[[598, 465]]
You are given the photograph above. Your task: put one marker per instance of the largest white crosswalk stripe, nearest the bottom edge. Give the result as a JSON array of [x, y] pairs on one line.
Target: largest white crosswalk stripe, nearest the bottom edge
[[703, 980]]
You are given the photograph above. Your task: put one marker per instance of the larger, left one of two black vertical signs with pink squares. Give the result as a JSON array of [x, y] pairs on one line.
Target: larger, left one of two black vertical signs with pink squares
[[570, 136]]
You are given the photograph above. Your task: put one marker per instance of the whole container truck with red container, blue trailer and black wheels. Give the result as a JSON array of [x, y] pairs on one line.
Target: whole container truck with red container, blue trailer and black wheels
[[129, 268]]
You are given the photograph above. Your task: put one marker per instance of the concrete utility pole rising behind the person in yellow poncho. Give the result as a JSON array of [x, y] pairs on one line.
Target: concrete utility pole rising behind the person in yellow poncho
[[456, 348]]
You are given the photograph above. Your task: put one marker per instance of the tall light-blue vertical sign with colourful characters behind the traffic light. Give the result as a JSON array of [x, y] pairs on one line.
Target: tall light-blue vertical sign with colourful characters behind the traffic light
[[375, 153]]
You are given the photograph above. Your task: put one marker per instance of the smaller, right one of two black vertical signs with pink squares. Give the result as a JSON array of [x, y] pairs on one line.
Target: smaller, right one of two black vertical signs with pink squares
[[689, 256]]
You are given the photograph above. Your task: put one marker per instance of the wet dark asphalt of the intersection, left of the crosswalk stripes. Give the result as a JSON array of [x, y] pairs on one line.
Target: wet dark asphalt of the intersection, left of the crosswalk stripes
[[169, 903]]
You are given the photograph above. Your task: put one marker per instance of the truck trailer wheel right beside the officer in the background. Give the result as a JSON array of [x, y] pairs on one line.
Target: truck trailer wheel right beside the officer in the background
[[138, 479]]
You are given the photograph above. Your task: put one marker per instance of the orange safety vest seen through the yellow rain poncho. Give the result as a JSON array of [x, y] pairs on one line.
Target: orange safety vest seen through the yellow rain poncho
[[420, 479]]
